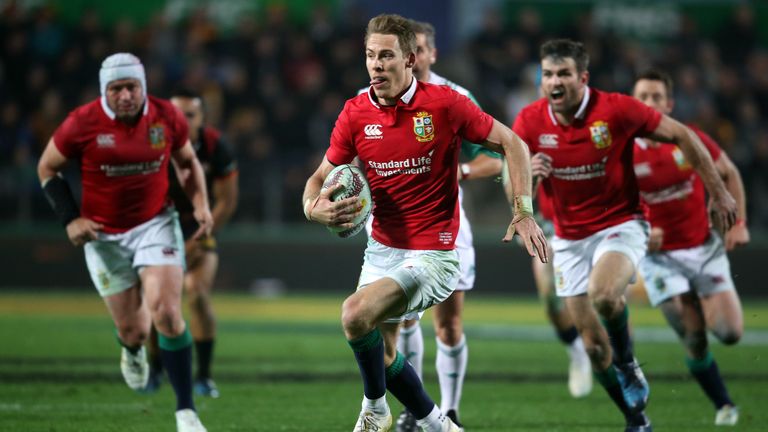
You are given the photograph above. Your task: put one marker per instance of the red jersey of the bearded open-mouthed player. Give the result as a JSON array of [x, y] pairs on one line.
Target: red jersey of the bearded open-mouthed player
[[592, 184]]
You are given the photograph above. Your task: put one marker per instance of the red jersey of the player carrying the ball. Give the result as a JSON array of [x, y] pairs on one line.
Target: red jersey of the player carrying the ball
[[410, 152]]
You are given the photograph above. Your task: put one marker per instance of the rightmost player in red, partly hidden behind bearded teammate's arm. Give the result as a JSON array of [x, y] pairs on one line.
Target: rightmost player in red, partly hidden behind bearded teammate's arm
[[686, 272]]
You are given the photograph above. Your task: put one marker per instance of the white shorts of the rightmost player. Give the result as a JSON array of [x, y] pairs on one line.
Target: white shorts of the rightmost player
[[704, 269]]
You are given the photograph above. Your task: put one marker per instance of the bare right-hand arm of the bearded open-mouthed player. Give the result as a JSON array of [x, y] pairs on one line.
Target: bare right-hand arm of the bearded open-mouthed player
[[722, 204]]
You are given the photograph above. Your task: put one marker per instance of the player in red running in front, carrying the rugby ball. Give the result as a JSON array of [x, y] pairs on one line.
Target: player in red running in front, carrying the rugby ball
[[410, 262]]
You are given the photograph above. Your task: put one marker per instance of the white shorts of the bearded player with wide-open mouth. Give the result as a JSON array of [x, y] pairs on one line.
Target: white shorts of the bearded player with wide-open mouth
[[574, 259]]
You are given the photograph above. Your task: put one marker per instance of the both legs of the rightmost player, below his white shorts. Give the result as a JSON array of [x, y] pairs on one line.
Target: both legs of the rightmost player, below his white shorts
[[686, 315]]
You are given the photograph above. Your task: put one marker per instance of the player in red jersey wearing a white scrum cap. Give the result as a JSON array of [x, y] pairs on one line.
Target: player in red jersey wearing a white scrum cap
[[134, 250]]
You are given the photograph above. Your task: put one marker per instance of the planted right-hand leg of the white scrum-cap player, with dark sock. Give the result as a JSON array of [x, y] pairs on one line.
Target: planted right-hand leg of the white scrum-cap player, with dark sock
[[162, 287]]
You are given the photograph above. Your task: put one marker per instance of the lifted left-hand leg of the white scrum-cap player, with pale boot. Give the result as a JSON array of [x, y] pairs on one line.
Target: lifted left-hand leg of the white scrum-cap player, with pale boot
[[132, 322]]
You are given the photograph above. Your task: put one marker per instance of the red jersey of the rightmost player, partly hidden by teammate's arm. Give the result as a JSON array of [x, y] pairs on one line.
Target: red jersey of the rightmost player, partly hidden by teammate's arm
[[673, 193]]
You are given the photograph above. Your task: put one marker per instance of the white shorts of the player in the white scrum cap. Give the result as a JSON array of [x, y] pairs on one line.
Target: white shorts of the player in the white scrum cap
[[114, 260]]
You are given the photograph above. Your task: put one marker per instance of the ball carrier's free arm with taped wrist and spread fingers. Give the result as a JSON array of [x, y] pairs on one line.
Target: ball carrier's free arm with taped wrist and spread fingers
[[501, 139]]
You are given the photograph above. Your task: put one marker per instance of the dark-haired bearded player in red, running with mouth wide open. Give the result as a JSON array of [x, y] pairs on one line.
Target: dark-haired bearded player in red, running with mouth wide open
[[587, 136]]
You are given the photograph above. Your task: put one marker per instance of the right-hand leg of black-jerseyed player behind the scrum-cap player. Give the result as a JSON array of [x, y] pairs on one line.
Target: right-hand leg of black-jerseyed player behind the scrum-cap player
[[198, 284]]
